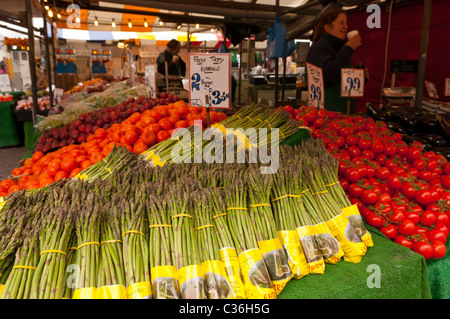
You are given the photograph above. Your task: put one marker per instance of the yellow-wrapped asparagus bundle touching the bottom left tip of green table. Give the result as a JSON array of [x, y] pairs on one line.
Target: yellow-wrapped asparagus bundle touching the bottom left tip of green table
[[265, 228]]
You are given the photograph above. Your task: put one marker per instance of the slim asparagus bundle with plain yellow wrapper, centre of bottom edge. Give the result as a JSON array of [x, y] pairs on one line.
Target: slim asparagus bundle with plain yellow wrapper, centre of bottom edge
[[227, 250]]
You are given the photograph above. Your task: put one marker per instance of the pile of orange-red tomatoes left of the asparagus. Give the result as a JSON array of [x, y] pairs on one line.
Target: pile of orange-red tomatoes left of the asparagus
[[137, 133]]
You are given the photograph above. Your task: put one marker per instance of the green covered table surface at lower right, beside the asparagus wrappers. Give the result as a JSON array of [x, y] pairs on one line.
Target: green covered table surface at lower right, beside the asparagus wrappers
[[403, 276]]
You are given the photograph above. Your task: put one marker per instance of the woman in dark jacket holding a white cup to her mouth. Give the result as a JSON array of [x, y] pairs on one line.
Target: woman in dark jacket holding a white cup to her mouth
[[331, 51]]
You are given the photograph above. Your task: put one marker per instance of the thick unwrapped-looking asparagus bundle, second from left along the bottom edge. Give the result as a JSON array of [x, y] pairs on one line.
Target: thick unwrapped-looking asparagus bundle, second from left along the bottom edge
[[57, 227]]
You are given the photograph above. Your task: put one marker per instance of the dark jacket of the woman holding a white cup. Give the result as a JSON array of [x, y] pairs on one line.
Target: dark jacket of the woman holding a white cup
[[331, 54]]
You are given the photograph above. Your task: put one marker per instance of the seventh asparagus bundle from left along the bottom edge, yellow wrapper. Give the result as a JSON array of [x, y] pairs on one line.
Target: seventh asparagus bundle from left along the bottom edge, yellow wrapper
[[187, 259]]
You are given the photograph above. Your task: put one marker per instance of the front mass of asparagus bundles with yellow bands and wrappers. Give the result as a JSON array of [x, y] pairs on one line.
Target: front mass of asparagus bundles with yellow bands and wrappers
[[128, 237]]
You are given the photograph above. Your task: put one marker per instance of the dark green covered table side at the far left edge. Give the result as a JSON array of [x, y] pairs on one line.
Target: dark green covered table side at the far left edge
[[9, 135]]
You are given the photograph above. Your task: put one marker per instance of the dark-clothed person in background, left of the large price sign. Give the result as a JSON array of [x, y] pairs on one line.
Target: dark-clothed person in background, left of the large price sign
[[176, 65]]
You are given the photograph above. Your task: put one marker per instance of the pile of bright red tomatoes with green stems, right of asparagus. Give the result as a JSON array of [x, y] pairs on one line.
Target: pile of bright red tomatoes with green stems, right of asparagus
[[400, 189]]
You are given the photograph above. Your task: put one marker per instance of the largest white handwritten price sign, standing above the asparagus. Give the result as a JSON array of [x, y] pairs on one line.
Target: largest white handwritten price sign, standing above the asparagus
[[209, 75]]
